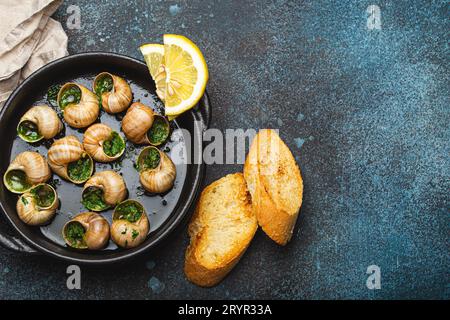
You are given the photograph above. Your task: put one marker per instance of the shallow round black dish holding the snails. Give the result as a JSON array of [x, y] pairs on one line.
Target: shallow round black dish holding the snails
[[165, 211]]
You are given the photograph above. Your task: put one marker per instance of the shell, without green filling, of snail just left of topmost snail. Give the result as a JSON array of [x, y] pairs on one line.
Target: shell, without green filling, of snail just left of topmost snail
[[83, 113]]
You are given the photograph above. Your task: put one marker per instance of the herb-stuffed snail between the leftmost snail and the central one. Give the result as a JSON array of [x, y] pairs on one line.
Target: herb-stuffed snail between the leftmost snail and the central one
[[69, 160]]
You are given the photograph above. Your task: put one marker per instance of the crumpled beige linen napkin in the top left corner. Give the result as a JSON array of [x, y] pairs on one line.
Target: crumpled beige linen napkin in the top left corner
[[29, 39]]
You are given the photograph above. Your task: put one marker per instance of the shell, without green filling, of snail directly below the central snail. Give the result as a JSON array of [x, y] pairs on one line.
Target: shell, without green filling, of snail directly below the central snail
[[112, 186]]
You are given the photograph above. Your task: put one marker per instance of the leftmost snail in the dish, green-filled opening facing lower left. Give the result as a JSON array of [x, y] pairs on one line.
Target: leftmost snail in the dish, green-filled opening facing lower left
[[28, 169]]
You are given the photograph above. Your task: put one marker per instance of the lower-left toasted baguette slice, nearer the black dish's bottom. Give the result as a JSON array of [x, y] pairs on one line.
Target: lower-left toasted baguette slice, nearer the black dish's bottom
[[221, 229]]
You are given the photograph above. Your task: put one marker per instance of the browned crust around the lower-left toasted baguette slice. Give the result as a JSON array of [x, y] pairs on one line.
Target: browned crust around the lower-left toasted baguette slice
[[198, 272]]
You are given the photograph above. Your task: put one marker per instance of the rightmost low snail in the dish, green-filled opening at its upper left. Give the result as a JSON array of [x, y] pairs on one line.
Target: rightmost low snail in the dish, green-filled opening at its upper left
[[157, 172]]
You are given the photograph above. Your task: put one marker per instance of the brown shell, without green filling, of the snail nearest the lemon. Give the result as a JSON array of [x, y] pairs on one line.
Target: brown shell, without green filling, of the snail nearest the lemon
[[136, 122]]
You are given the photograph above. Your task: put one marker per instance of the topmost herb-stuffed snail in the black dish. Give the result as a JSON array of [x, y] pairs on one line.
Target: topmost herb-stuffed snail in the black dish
[[113, 91]]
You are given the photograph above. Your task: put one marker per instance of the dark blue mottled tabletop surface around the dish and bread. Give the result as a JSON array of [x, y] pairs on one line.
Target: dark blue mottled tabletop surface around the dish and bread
[[366, 114]]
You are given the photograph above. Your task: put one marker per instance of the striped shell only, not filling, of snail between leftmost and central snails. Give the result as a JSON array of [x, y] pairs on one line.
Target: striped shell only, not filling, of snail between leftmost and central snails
[[65, 151]]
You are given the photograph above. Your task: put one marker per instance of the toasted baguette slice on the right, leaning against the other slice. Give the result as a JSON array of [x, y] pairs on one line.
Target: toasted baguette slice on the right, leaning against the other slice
[[274, 181]]
